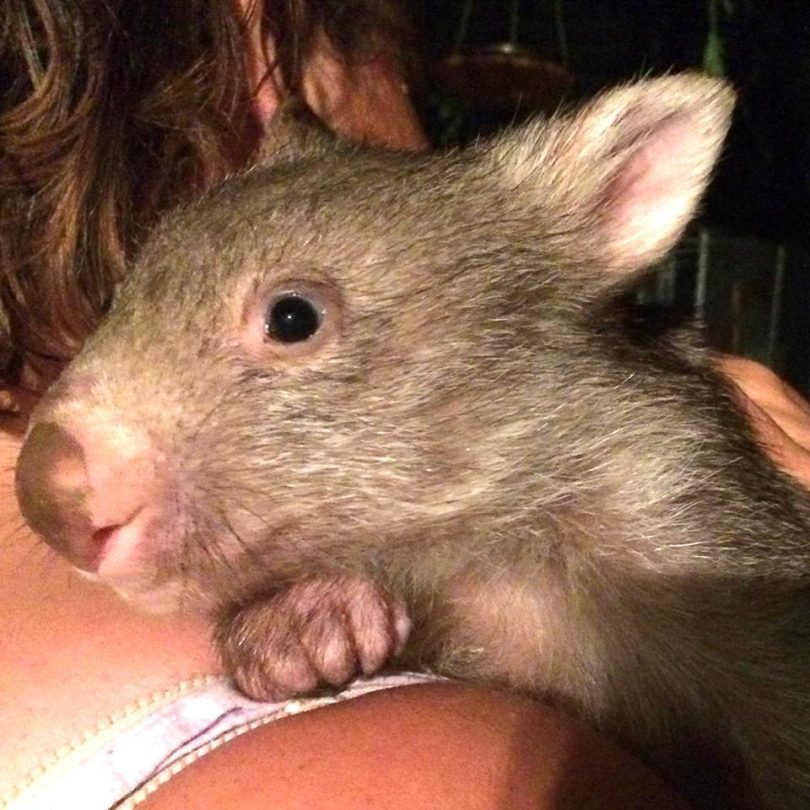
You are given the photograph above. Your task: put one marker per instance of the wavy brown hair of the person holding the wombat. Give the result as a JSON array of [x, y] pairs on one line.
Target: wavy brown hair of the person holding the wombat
[[110, 112]]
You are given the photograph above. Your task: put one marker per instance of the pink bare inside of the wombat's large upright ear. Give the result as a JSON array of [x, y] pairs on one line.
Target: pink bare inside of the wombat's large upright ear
[[656, 190]]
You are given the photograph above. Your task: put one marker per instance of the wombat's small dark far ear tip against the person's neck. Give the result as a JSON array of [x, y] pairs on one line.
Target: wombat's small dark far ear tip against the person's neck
[[294, 131]]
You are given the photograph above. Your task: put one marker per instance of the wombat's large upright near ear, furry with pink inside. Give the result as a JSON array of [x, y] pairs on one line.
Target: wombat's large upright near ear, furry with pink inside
[[624, 175]]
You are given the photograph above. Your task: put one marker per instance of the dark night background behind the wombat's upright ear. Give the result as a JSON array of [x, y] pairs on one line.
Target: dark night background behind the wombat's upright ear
[[744, 267]]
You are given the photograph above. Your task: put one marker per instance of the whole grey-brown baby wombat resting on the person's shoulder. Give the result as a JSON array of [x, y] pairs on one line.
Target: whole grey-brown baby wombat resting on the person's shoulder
[[368, 407]]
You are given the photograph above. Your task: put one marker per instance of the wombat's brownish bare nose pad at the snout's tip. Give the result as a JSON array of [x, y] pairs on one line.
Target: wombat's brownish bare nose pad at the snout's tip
[[53, 491]]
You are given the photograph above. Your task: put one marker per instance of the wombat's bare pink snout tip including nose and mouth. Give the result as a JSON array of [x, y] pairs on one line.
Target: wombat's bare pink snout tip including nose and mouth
[[88, 487]]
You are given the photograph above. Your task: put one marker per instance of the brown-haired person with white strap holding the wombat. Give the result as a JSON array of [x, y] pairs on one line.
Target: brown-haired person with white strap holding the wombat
[[111, 113]]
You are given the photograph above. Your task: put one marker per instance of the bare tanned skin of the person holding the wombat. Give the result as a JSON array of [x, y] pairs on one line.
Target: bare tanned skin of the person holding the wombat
[[72, 654]]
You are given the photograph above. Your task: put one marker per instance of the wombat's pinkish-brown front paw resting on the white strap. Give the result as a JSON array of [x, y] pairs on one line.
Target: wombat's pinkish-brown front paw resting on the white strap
[[321, 631]]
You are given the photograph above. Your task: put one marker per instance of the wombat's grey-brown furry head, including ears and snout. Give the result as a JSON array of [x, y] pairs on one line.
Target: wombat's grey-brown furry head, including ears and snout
[[342, 347]]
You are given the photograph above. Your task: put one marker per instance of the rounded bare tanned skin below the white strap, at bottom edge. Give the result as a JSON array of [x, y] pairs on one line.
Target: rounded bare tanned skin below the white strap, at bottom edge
[[429, 746]]
